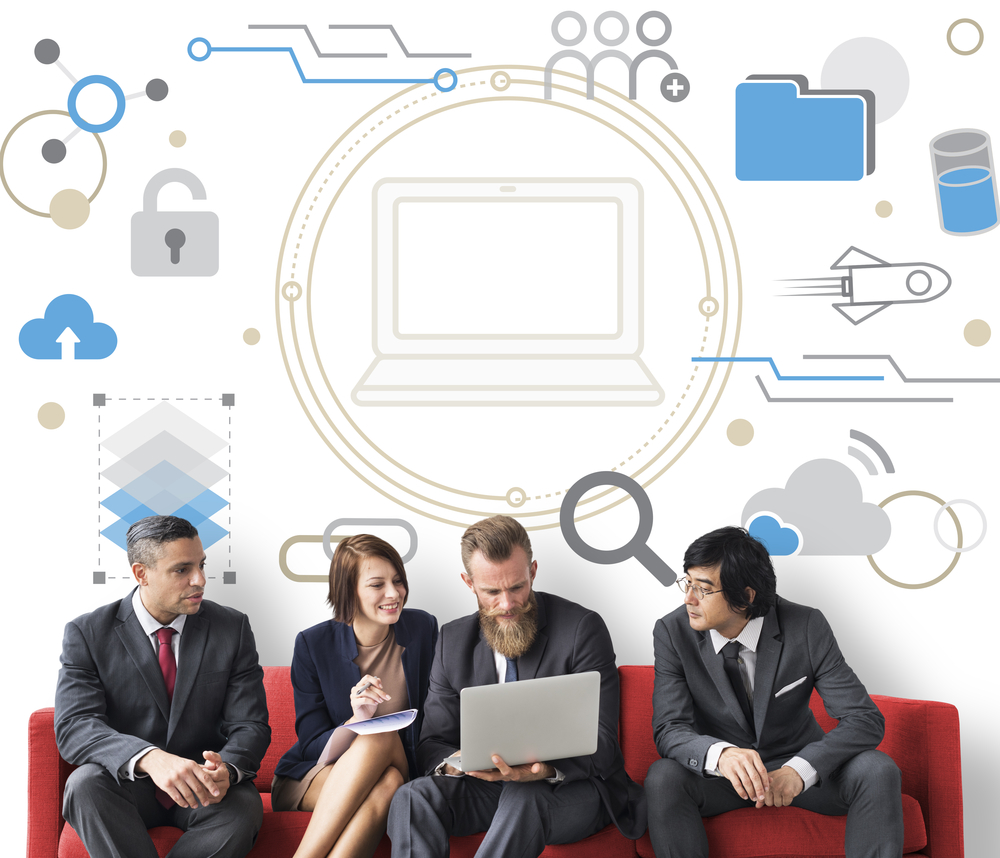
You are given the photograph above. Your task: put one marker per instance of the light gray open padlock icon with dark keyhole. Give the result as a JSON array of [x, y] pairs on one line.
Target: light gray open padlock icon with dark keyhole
[[174, 244]]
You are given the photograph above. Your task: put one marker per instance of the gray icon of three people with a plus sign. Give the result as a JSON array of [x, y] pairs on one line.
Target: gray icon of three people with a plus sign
[[674, 86]]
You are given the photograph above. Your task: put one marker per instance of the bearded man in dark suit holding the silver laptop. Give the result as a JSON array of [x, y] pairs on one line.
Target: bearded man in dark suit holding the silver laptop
[[516, 634]]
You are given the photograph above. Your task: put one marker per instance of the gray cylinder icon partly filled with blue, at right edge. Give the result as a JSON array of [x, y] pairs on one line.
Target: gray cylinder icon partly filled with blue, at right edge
[[965, 185]]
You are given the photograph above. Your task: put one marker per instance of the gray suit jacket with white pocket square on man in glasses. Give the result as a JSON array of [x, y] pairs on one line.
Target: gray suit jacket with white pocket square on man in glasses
[[694, 705]]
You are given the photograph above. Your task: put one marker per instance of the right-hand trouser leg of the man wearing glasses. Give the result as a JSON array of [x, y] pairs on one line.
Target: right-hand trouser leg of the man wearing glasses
[[867, 788]]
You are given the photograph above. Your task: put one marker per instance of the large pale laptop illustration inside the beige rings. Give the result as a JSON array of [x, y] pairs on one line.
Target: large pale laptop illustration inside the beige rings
[[507, 292]]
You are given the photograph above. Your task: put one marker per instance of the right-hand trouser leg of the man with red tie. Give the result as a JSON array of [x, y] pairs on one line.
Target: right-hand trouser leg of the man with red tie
[[224, 830]]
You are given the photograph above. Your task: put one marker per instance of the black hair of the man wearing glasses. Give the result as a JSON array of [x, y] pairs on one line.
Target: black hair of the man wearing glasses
[[743, 562]]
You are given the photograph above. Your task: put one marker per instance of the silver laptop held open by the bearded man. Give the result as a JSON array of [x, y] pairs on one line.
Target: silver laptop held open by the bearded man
[[529, 721]]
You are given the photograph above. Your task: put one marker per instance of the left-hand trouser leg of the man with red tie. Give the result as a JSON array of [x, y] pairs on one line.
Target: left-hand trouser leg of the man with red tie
[[110, 817]]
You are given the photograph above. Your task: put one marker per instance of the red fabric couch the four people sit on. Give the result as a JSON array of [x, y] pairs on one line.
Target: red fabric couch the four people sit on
[[921, 736]]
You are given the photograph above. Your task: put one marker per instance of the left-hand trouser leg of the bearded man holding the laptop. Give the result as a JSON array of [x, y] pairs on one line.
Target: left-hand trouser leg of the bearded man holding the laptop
[[425, 812]]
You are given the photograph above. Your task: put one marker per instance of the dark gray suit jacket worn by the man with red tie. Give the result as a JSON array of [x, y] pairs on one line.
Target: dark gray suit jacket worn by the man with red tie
[[111, 701]]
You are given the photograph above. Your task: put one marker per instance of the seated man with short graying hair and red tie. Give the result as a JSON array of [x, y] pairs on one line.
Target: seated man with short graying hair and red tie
[[160, 702]]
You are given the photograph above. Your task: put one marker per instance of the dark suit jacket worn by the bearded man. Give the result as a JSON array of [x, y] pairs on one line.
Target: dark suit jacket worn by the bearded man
[[571, 639]]
